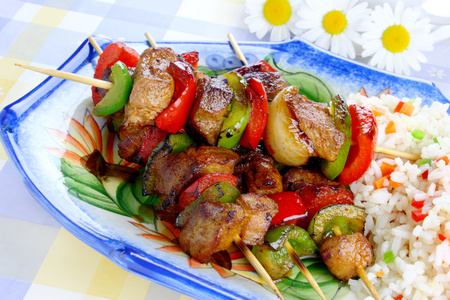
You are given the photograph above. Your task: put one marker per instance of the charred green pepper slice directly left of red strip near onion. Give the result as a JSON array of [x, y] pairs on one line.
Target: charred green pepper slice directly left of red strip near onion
[[234, 125]]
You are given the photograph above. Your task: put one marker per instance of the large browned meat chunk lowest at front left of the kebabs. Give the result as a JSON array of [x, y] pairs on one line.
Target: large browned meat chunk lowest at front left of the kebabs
[[210, 229]]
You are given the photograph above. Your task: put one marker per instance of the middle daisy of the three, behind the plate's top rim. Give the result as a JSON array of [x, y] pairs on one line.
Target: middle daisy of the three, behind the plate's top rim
[[333, 24]]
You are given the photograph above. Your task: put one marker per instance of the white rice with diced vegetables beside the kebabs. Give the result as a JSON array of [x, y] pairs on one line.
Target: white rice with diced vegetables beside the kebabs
[[421, 268]]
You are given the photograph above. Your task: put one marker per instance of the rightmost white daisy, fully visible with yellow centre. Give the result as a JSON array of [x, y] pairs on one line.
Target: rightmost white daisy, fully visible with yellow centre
[[396, 38]]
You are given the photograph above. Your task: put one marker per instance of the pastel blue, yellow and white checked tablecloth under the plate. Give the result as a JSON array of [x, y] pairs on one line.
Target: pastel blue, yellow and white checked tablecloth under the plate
[[38, 258]]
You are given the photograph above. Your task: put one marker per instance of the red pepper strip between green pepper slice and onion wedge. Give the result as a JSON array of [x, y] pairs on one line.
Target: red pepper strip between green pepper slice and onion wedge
[[258, 114]]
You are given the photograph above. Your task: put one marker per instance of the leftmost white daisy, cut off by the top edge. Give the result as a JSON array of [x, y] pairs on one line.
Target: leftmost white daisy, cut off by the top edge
[[275, 16]]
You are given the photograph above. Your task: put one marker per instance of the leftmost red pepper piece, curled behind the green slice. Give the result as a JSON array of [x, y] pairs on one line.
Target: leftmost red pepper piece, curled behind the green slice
[[113, 53]]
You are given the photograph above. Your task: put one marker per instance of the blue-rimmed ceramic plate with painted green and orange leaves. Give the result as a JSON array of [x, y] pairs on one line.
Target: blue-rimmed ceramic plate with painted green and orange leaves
[[48, 132]]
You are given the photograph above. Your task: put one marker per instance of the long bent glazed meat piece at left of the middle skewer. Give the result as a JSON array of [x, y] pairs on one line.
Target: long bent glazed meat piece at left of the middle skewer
[[168, 175]]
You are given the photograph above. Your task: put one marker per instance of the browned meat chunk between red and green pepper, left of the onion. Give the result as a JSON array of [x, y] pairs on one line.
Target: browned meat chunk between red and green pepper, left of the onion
[[209, 108]]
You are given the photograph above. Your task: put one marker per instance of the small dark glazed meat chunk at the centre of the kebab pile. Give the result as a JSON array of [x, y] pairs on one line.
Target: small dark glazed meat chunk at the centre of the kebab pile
[[258, 175]]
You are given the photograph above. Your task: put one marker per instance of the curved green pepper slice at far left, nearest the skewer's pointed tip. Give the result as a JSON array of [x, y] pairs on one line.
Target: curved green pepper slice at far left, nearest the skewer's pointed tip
[[118, 95]]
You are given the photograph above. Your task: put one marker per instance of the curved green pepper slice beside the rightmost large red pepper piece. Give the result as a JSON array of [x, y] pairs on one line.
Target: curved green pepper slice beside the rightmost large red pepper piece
[[343, 122]]
